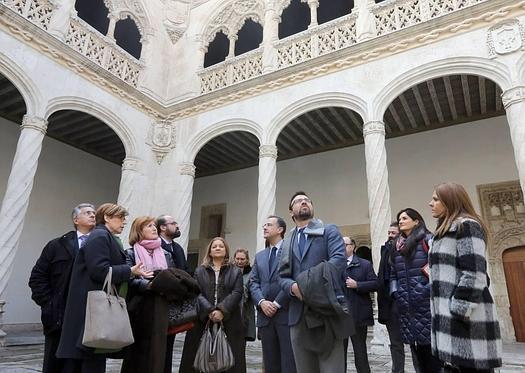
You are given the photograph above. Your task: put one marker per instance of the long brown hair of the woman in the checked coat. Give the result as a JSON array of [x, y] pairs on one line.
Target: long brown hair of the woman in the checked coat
[[457, 204]]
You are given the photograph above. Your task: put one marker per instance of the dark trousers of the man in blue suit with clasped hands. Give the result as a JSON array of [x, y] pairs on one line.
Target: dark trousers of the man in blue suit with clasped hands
[[277, 348]]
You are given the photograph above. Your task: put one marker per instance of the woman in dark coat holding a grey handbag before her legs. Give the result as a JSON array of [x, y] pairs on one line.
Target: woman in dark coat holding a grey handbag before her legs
[[220, 301]]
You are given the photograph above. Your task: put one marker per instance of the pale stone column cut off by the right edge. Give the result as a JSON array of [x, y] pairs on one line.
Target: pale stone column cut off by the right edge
[[514, 102]]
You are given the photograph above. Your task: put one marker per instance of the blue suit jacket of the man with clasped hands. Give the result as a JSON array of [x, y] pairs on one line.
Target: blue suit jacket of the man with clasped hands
[[264, 284]]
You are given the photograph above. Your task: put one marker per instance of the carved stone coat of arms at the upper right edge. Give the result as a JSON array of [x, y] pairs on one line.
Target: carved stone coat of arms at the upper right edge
[[505, 37]]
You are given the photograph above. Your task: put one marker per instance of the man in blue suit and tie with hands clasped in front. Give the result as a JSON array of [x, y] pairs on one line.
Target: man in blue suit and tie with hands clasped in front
[[271, 301]]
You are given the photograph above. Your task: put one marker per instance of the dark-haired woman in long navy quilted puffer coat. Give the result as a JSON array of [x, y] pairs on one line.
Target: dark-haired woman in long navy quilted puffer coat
[[409, 286]]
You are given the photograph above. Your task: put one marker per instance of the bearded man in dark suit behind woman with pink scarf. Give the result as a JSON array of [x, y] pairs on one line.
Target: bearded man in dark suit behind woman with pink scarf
[[168, 230]]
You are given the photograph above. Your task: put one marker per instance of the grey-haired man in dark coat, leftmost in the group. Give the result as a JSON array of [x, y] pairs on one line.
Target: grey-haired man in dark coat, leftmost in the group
[[49, 280]]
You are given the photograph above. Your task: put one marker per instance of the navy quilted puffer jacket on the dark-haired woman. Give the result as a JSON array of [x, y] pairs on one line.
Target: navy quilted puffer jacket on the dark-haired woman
[[411, 290]]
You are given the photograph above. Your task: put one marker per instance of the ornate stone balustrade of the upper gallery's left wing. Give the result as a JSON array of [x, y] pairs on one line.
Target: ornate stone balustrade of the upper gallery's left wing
[[83, 38]]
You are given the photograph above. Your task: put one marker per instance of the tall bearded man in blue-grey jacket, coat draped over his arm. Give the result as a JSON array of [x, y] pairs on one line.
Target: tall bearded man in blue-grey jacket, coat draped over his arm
[[310, 243]]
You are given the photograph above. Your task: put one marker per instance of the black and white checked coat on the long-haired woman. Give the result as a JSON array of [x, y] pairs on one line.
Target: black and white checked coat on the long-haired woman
[[465, 329]]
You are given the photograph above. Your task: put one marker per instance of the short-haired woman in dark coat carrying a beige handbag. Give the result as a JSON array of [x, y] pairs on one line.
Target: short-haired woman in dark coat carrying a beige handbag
[[101, 251]]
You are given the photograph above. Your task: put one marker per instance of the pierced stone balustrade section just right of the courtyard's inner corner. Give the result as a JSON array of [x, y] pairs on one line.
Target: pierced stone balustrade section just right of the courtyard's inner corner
[[231, 71]]
